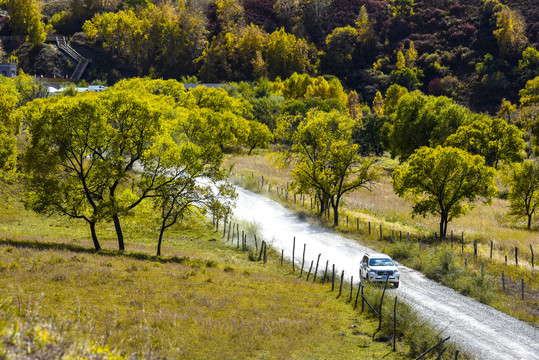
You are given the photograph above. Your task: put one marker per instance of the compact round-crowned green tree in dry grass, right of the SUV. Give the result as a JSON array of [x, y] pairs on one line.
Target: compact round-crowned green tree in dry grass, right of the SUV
[[444, 181]]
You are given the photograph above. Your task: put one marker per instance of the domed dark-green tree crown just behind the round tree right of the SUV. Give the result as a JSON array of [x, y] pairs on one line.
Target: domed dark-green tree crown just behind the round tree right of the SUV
[[492, 138]]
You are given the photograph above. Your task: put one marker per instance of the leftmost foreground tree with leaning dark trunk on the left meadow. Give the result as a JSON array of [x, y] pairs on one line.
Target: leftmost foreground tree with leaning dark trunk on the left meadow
[[62, 166]]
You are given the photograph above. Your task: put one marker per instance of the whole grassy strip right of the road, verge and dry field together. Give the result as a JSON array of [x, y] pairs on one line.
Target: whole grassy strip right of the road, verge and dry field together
[[463, 272]]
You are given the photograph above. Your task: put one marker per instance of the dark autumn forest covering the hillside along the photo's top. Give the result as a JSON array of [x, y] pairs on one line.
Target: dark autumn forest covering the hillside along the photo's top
[[476, 52]]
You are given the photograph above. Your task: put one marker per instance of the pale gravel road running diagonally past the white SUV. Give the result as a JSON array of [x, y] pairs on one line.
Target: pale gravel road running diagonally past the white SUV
[[478, 329]]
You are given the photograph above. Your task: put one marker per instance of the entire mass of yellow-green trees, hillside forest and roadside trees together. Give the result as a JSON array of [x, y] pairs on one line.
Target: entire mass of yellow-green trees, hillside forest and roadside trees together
[[386, 88]]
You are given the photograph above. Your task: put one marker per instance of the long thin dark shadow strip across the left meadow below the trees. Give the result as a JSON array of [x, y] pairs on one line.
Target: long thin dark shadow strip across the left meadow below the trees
[[41, 245]]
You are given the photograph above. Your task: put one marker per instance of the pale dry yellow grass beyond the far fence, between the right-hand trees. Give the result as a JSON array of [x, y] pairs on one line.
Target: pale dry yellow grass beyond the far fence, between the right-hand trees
[[382, 206]]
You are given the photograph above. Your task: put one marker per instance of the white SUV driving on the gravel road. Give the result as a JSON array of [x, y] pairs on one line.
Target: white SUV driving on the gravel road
[[379, 268]]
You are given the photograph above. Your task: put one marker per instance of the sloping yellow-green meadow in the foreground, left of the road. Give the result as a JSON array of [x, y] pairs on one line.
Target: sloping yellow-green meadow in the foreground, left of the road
[[201, 300]]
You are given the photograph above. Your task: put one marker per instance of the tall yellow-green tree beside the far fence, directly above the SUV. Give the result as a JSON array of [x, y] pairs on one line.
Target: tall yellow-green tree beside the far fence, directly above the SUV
[[326, 162]]
